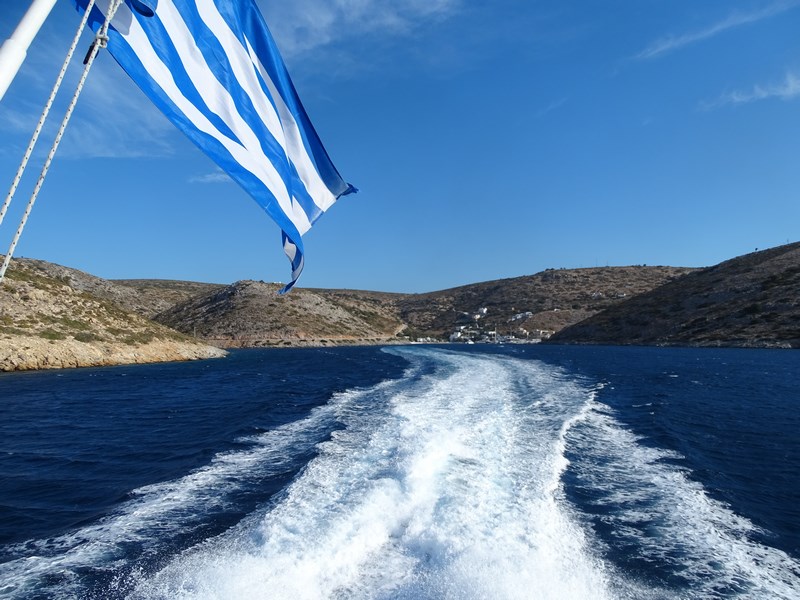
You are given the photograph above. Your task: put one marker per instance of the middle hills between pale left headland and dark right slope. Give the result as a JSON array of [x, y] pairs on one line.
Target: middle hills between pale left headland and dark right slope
[[250, 313]]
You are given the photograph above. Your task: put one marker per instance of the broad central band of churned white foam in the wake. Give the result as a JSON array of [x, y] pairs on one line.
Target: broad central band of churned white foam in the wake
[[443, 488]]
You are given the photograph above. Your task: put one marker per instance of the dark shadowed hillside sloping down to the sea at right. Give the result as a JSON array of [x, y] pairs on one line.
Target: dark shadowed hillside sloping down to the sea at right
[[750, 301]]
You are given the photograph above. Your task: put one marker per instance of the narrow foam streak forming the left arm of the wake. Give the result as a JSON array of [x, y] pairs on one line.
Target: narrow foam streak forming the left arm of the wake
[[155, 513]]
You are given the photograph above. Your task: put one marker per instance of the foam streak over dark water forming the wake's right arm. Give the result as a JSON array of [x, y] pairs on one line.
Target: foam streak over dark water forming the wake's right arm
[[670, 519]]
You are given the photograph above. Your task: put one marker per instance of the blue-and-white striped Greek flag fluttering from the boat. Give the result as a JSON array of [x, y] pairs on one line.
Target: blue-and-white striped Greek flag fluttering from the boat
[[212, 67]]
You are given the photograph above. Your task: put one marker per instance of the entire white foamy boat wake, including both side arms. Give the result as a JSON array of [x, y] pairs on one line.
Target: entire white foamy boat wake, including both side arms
[[473, 476]]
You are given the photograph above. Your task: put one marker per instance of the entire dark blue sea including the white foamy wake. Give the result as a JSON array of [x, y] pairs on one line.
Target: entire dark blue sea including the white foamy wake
[[459, 472]]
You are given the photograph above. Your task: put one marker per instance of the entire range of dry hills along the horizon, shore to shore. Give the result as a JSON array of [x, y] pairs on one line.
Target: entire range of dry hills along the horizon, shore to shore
[[53, 316]]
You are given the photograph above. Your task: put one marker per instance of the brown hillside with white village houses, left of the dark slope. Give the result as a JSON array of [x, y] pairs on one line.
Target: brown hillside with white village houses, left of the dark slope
[[549, 301]]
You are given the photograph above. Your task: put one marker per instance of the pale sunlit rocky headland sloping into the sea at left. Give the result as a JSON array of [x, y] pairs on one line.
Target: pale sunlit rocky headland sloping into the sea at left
[[53, 317]]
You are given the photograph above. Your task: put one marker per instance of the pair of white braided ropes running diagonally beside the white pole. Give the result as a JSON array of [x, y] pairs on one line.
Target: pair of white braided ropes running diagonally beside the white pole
[[99, 42]]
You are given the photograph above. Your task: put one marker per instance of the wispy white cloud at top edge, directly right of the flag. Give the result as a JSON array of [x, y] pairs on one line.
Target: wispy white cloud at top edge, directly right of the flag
[[309, 24]]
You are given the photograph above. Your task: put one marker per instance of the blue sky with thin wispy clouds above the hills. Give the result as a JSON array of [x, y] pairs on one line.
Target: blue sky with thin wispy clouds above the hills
[[488, 140]]
